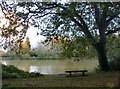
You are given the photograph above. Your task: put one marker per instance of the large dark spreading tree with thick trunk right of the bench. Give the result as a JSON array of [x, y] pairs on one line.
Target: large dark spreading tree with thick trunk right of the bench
[[93, 20]]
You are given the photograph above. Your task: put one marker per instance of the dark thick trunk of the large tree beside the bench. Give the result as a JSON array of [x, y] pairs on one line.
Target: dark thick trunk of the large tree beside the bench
[[102, 56]]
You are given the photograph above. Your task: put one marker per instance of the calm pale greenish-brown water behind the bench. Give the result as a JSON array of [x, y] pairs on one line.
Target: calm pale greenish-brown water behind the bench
[[52, 66]]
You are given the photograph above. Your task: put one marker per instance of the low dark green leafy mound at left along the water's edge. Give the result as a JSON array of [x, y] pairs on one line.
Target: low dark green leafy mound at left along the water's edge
[[11, 71]]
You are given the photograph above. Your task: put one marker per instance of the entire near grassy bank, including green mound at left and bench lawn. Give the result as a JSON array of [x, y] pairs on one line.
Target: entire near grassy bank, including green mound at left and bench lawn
[[13, 77]]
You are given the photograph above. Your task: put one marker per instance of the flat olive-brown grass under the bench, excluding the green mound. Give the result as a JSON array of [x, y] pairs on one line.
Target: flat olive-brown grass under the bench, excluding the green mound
[[102, 79]]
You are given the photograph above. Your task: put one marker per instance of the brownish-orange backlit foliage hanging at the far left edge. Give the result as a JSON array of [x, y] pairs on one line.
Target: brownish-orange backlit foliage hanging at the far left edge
[[12, 28]]
